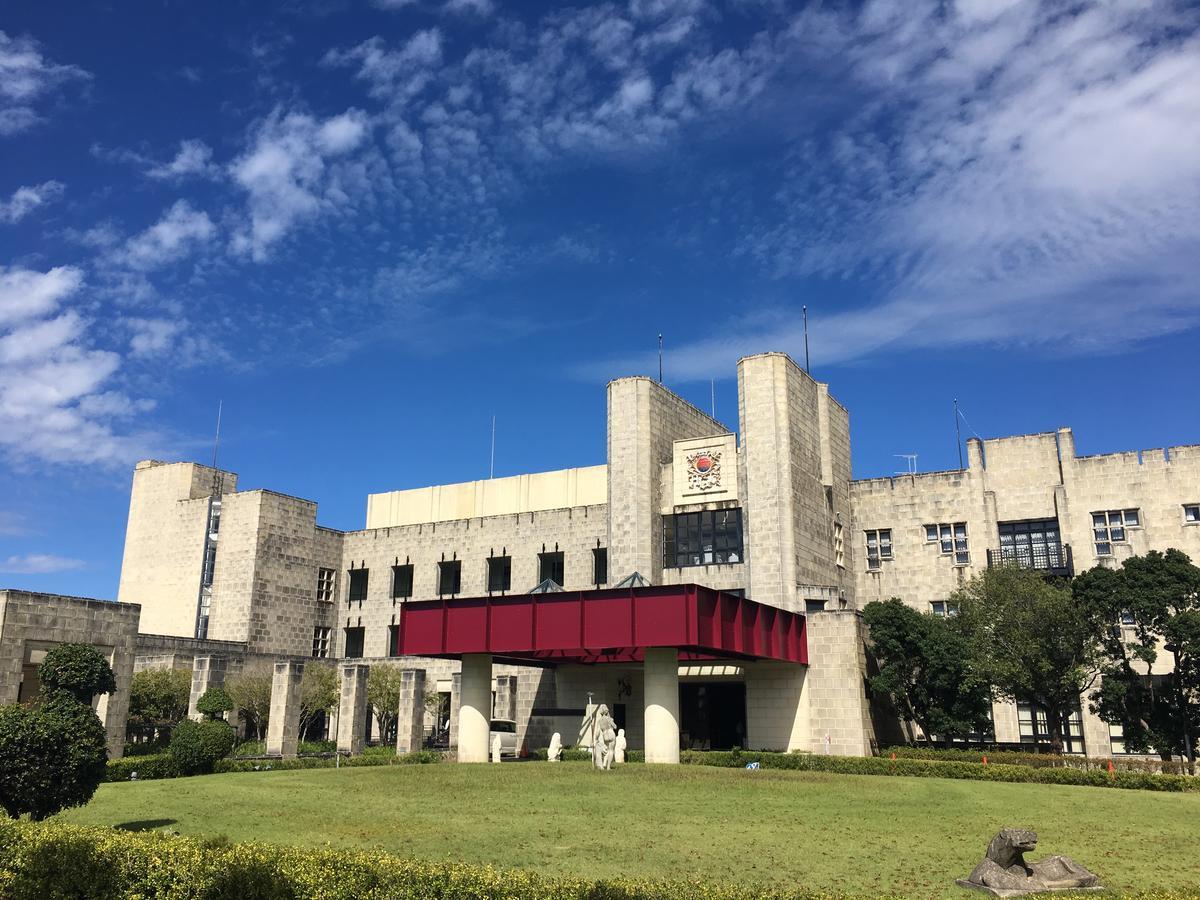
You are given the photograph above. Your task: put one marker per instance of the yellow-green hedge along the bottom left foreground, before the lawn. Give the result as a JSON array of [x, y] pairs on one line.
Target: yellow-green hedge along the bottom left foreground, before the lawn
[[53, 860]]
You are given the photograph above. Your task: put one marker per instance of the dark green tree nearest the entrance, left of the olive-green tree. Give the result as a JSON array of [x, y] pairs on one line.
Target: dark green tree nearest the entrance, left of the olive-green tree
[[926, 670]]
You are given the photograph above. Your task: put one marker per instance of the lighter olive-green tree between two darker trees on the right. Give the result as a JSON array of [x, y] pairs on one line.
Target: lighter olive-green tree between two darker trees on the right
[[1031, 641]]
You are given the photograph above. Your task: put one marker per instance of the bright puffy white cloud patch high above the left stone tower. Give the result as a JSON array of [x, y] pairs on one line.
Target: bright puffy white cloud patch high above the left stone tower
[[287, 175]]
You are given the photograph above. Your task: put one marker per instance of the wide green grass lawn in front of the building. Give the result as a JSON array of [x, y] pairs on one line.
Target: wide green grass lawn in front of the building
[[843, 833]]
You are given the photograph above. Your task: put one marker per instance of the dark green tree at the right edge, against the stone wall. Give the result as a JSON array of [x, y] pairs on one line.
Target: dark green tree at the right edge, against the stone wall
[[1160, 595]]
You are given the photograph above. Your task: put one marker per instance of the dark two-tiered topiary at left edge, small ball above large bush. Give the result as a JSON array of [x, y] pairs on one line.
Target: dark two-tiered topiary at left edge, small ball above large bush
[[55, 755]]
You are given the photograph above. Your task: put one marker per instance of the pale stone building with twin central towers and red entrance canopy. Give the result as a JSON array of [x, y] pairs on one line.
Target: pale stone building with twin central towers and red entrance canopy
[[769, 517]]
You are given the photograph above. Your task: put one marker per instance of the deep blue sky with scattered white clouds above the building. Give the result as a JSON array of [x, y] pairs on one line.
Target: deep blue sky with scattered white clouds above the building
[[369, 227]]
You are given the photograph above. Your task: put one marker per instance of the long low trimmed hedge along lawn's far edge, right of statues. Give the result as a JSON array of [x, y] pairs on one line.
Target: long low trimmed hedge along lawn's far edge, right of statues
[[929, 769]]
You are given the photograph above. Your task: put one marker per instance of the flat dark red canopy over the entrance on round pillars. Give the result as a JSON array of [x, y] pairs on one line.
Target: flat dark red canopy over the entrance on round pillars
[[615, 626]]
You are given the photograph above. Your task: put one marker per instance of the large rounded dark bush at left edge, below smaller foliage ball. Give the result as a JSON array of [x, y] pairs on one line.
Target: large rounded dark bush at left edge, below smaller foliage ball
[[52, 757]]
